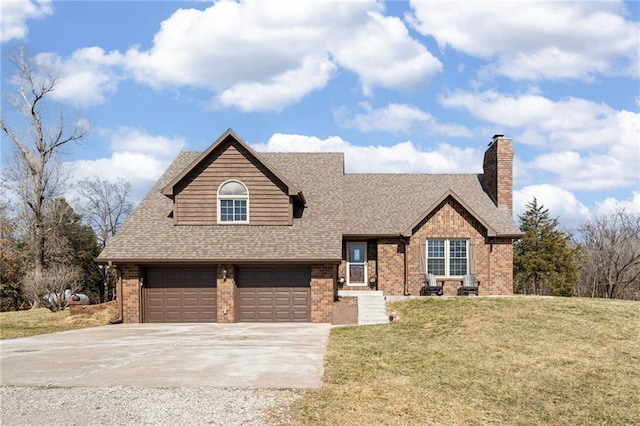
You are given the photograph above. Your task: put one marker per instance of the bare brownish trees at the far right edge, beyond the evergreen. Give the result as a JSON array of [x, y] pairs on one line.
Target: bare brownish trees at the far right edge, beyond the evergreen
[[611, 255]]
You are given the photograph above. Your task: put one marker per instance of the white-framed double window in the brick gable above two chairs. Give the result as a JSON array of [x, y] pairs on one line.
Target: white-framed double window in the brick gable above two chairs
[[447, 257]]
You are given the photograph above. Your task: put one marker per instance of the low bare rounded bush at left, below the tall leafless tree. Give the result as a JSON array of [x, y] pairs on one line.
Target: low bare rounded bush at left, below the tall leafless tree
[[52, 287]]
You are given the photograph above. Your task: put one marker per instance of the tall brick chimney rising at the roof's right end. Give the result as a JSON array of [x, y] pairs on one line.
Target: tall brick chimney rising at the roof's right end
[[498, 171]]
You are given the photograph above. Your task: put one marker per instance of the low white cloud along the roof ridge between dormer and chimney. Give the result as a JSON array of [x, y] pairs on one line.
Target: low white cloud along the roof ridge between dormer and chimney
[[402, 157]]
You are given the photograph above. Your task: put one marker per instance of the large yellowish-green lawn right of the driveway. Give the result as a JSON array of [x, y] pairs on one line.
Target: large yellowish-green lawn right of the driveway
[[476, 361]]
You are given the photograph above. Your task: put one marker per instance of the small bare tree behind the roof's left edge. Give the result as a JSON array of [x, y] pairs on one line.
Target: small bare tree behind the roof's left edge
[[105, 205]]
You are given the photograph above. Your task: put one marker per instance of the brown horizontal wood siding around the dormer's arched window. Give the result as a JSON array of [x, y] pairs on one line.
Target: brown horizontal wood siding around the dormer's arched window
[[196, 198]]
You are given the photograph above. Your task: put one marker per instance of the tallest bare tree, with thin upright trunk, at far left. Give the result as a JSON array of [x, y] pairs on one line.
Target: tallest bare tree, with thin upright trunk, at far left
[[36, 175]]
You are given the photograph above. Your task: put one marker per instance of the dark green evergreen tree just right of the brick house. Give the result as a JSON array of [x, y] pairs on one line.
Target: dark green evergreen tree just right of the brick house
[[544, 259]]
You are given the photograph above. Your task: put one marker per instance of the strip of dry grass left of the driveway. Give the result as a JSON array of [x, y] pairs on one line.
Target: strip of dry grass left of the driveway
[[42, 321]]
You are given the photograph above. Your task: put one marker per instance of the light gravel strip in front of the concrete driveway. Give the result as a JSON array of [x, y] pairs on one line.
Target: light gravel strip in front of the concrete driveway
[[145, 406]]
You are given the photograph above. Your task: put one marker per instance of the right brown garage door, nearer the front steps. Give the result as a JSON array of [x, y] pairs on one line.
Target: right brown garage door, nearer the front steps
[[274, 295]]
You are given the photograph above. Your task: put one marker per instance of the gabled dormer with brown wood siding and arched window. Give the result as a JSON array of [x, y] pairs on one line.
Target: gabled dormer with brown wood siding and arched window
[[230, 184]]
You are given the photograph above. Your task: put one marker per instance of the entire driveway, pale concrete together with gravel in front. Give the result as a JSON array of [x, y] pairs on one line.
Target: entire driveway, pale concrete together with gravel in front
[[165, 374]]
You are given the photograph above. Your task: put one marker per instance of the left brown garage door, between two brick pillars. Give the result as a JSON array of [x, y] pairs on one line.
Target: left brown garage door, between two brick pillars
[[180, 295]]
